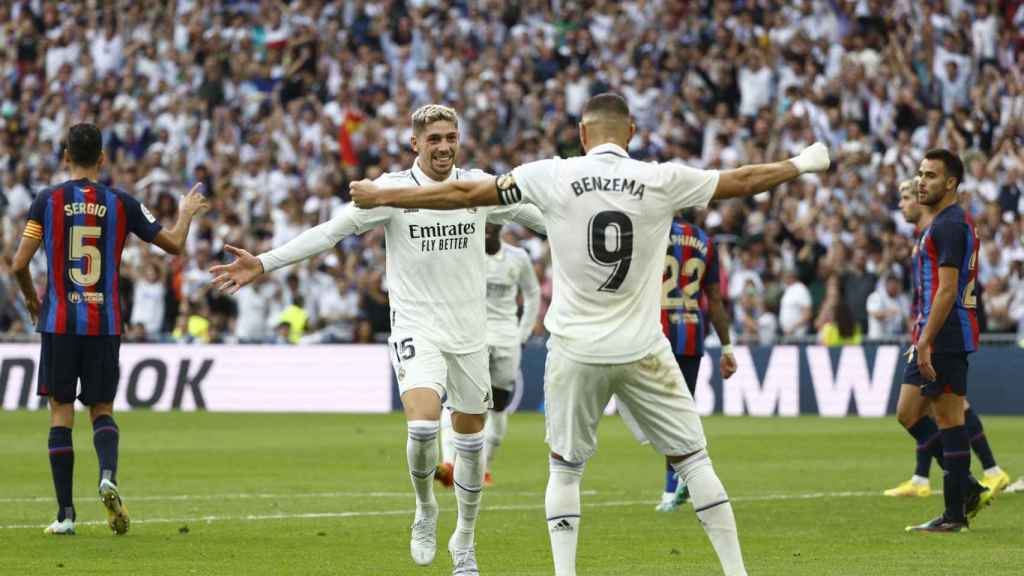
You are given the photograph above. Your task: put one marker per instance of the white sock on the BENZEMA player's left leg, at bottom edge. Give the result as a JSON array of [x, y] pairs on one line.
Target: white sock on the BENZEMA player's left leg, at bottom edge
[[562, 504]]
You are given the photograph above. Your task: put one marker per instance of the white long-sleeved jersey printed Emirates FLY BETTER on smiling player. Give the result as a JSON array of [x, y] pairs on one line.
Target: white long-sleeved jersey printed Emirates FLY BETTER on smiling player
[[436, 260]]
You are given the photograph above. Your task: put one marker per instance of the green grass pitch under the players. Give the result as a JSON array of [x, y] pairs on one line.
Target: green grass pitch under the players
[[277, 495]]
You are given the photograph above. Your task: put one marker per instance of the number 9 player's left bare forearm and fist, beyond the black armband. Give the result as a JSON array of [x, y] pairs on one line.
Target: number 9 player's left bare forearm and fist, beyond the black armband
[[445, 196]]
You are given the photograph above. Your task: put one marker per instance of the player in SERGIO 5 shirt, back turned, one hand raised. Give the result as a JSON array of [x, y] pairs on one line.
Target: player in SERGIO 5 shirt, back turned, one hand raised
[[83, 226]]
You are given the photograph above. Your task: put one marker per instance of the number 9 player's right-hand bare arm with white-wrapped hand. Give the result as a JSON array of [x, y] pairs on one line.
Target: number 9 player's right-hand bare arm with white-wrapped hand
[[760, 178]]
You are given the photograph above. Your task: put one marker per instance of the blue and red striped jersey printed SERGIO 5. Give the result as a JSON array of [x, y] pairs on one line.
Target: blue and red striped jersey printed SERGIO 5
[[83, 227]]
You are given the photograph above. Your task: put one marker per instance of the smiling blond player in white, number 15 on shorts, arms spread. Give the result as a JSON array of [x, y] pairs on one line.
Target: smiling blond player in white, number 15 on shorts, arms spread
[[437, 271]]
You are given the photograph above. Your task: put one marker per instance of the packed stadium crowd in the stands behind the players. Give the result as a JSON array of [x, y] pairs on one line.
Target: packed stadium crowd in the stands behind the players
[[277, 107]]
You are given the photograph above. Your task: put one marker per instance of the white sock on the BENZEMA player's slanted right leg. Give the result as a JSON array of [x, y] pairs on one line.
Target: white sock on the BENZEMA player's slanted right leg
[[714, 511]]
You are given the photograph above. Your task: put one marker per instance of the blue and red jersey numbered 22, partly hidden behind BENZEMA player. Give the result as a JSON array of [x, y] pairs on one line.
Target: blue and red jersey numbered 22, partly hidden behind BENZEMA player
[[691, 268]]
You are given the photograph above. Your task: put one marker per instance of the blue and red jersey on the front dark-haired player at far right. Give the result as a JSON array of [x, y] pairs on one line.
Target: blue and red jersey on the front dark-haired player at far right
[[950, 241]]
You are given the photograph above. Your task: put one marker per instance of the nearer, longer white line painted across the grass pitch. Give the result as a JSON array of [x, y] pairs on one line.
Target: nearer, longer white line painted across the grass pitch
[[369, 514]]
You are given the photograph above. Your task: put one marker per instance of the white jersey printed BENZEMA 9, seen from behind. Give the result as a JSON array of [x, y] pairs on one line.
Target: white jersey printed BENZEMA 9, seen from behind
[[608, 218]]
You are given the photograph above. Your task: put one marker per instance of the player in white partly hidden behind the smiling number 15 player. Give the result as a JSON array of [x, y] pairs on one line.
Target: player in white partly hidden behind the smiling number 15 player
[[510, 272]]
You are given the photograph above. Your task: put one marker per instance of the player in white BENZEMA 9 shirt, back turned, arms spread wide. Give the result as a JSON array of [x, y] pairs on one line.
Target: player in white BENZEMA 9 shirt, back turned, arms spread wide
[[608, 218]]
